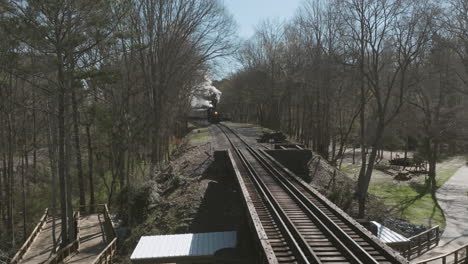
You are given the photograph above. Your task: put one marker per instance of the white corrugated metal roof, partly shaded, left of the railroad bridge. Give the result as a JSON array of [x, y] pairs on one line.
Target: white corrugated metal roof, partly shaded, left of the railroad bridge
[[183, 245]]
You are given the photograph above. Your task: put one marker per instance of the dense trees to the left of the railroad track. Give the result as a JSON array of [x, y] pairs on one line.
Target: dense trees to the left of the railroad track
[[93, 96]]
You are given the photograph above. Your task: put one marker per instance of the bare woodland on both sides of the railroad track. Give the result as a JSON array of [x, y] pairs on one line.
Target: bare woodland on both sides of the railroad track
[[94, 95]]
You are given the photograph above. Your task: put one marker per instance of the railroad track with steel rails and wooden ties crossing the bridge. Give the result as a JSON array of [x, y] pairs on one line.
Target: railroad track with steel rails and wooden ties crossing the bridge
[[301, 225]]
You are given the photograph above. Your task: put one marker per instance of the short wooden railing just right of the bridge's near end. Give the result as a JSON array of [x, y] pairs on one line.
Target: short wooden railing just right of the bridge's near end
[[419, 244]]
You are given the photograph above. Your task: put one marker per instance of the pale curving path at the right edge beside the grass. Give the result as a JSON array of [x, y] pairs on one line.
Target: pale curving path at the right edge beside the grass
[[453, 198]]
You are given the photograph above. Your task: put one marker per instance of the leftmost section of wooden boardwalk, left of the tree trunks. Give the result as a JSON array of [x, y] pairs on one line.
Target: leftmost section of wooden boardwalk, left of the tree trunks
[[41, 248]]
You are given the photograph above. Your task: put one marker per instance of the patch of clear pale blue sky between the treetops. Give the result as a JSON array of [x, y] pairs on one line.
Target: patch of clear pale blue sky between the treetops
[[249, 13]]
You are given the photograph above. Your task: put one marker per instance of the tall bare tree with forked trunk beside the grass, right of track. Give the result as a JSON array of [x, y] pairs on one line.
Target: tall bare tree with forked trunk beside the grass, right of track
[[389, 36]]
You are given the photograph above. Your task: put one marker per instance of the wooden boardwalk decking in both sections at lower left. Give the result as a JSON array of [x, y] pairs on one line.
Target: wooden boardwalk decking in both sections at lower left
[[95, 241]]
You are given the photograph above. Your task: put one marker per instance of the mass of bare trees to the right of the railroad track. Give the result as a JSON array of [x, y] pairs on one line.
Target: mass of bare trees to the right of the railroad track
[[366, 75]]
